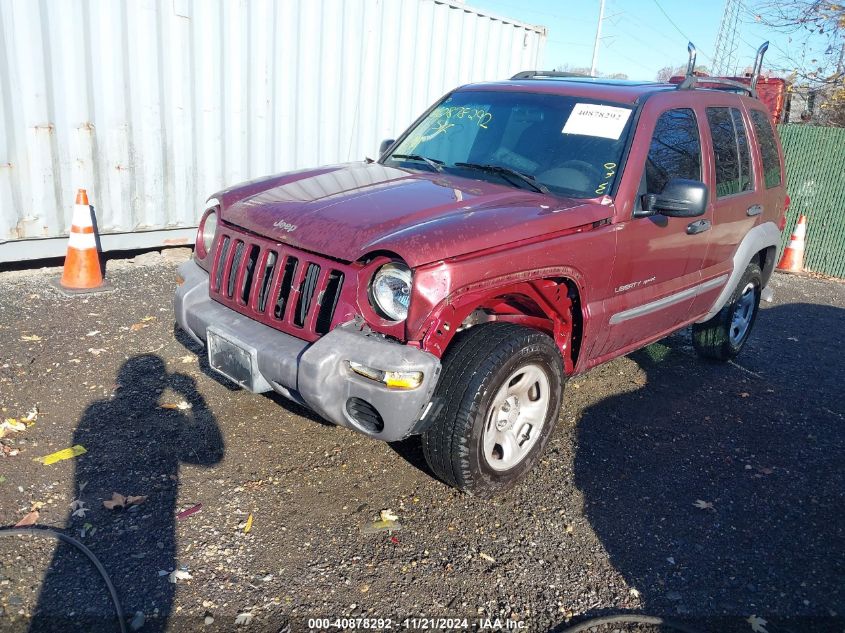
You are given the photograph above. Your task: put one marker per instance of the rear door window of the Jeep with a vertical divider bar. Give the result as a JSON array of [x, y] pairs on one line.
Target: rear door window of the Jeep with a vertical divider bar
[[730, 147]]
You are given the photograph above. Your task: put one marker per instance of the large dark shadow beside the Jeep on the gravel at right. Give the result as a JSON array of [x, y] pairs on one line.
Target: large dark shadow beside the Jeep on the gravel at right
[[719, 492]]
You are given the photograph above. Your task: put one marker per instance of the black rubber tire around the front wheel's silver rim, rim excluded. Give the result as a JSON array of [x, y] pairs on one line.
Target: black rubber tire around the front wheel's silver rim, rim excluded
[[474, 369]]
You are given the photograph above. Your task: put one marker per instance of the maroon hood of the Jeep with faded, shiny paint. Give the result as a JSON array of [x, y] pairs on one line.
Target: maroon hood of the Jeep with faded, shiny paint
[[348, 211]]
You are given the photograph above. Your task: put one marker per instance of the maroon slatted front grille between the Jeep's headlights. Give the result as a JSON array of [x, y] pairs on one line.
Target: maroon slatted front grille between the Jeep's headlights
[[288, 289]]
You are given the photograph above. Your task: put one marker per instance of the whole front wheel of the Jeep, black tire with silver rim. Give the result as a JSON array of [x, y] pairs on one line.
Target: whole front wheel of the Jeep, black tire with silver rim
[[495, 407]]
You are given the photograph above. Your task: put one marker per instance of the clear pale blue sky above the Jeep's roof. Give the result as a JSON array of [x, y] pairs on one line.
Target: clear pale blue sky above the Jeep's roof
[[639, 37]]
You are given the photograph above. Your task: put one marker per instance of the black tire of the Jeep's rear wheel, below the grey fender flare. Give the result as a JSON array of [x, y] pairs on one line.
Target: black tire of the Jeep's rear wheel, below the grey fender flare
[[712, 339]]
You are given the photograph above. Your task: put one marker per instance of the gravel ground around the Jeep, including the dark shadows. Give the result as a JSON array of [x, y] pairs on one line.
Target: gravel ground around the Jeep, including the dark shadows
[[608, 523]]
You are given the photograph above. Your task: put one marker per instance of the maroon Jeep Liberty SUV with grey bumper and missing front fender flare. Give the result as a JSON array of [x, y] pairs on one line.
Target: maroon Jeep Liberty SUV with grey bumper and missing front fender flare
[[518, 233]]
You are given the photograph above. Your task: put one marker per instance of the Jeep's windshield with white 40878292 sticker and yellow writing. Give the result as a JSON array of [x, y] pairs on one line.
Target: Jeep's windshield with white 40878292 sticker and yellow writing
[[567, 145]]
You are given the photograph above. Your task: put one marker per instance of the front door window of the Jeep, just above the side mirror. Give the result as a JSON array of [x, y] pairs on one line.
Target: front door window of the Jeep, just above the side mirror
[[675, 150]]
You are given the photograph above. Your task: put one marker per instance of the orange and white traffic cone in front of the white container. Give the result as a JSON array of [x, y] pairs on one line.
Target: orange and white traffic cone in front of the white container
[[82, 272]]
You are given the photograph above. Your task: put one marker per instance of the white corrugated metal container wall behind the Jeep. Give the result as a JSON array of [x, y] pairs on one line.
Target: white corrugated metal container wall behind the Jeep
[[154, 104]]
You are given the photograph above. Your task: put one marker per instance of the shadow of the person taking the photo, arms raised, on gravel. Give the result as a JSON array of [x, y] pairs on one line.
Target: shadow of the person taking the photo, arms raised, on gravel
[[135, 446]]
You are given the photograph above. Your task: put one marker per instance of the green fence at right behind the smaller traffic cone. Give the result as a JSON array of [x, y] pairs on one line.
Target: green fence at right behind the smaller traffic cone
[[815, 181]]
